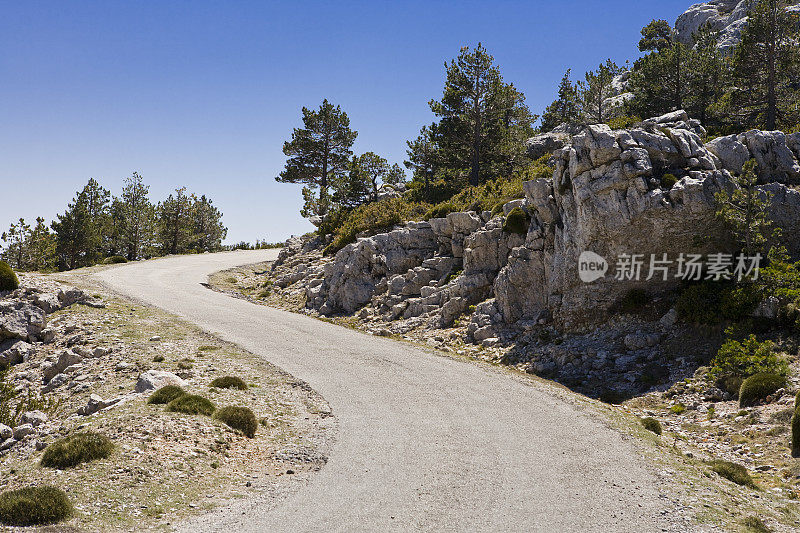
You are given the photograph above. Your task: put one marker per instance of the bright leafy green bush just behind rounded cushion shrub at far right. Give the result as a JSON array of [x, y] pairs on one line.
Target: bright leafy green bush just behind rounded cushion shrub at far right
[[746, 358]]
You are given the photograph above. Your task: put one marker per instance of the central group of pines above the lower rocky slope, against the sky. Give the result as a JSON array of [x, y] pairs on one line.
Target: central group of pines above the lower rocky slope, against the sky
[[480, 132]]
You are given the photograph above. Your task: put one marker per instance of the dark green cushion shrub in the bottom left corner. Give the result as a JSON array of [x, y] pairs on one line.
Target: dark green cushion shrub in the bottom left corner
[[34, 506]]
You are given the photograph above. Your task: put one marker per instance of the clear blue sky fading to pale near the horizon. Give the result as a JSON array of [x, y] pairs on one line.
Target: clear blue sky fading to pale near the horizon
[[203, 94]]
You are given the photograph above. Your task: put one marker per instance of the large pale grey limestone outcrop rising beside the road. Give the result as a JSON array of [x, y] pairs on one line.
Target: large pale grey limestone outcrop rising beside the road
[[649, 190]]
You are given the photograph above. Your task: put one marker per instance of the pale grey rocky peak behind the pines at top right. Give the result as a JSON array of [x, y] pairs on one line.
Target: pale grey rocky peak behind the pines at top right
[[728, 17]]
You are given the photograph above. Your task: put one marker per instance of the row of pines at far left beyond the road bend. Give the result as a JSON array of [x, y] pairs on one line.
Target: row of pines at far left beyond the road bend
[[97, 225]]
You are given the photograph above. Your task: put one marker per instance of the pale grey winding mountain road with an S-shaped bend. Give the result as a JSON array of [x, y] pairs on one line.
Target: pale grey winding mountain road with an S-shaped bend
[[425, 443]]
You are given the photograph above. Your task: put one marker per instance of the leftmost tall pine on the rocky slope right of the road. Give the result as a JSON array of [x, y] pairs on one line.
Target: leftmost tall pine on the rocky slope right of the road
[[319, 153]]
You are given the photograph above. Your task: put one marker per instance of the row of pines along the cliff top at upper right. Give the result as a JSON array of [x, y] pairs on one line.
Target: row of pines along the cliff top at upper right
[[756, 86]]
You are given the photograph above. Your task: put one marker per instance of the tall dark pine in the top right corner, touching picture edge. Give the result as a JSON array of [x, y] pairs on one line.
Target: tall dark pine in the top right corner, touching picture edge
[[765, 67]]
